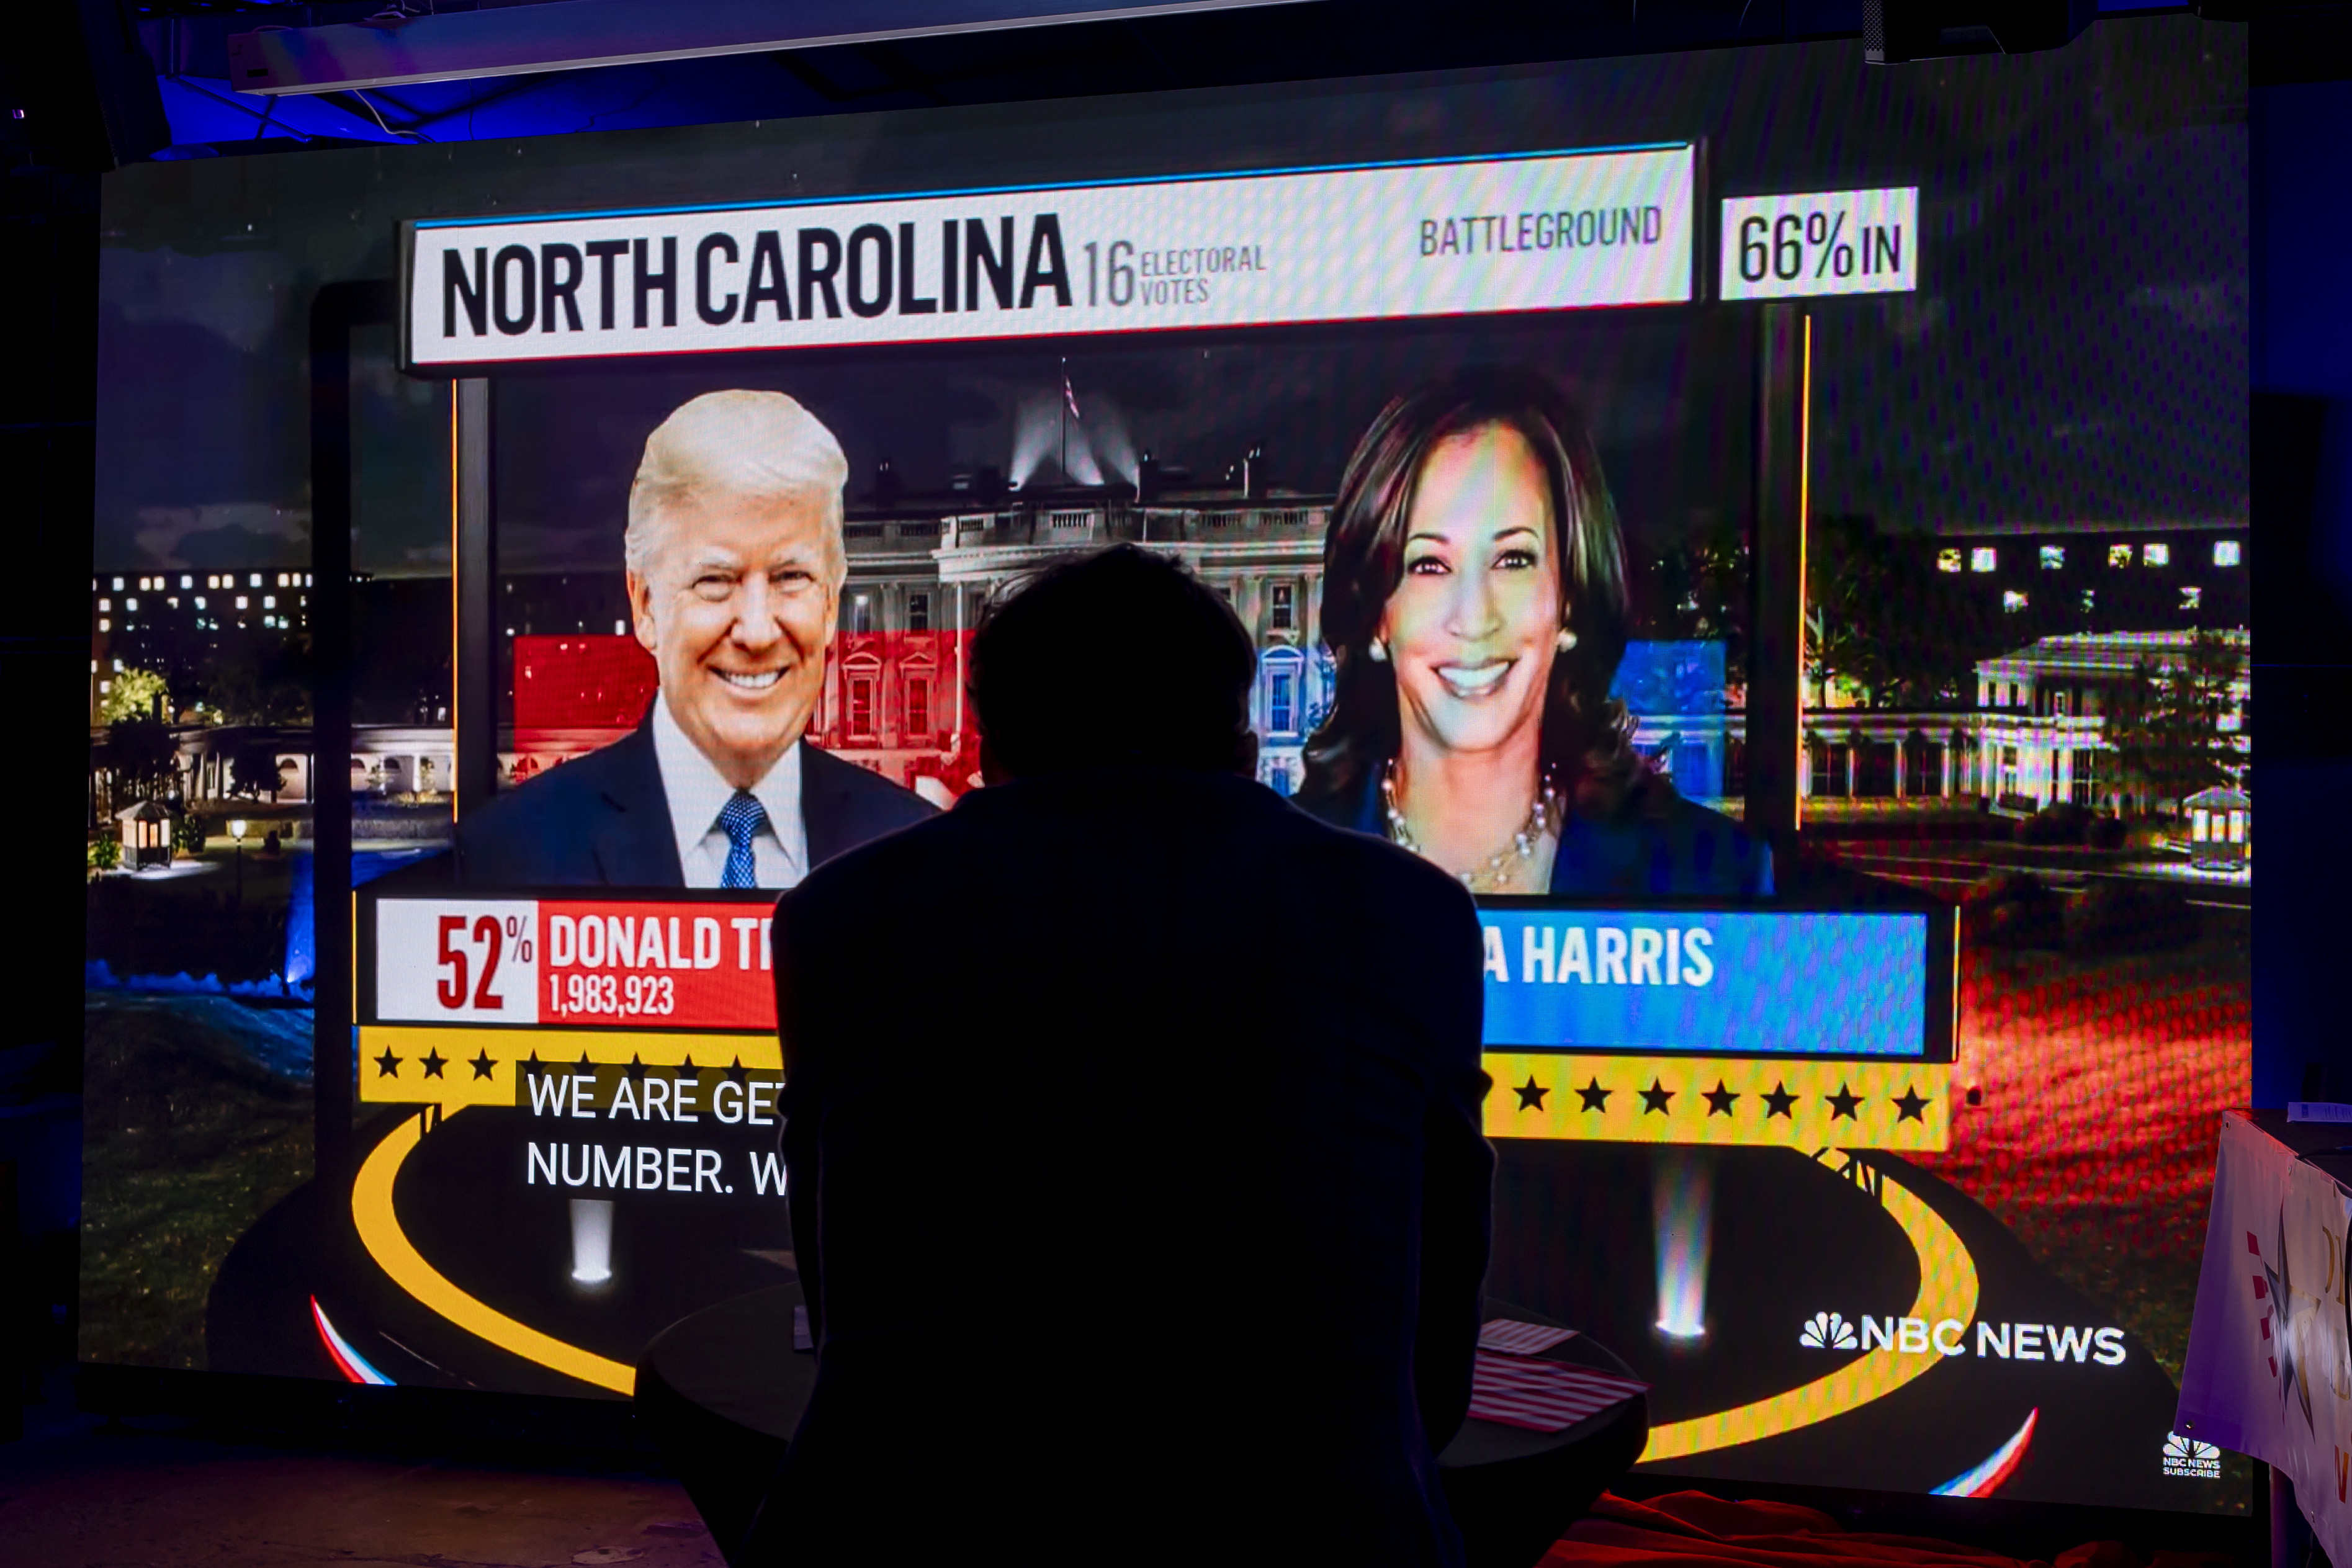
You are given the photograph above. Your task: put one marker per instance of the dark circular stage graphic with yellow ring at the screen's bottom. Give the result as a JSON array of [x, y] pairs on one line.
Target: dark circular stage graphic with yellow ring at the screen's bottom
[[1862, 1320]]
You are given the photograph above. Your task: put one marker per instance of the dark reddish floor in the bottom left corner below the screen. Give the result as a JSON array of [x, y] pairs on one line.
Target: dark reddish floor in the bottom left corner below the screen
[[173, 1494]]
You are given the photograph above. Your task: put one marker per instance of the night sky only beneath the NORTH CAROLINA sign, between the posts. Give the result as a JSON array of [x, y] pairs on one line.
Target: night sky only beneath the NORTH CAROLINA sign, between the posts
[[568, 445]]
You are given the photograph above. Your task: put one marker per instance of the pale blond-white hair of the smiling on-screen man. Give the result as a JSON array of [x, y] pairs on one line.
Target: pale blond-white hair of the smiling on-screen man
[[740, 445]]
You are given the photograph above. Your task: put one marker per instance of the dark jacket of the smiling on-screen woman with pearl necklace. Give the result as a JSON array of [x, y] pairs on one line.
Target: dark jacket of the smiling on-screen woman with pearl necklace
[[1650, 850]]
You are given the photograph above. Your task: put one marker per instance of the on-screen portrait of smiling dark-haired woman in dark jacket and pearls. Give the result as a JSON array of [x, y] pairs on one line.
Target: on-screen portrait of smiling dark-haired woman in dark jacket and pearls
[[1476, 605]]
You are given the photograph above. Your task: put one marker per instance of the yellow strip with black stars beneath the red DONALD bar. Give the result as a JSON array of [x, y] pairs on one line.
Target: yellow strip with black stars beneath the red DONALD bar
[[450, 1068]]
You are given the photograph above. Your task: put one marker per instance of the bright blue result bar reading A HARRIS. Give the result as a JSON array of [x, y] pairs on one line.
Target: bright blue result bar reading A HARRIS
[[1699, 981]]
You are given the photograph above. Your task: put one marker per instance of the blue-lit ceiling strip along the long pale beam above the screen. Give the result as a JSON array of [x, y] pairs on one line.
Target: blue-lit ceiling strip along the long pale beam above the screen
[[1321, 39]]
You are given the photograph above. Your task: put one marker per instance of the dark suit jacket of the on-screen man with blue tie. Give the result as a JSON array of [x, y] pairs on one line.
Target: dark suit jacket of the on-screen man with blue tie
[[606, 822]]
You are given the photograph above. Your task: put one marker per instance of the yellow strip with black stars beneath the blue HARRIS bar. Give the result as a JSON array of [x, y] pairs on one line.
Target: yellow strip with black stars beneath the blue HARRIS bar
[[1737, 1101]]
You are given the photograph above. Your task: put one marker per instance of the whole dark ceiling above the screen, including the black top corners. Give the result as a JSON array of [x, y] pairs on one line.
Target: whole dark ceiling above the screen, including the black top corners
[[189, 107]]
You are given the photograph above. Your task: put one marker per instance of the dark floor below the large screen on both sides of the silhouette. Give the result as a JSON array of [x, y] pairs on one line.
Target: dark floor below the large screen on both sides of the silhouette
[[185, 1494]]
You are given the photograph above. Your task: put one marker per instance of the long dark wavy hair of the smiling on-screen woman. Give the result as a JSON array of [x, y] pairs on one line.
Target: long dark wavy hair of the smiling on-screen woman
[[1586, 735]]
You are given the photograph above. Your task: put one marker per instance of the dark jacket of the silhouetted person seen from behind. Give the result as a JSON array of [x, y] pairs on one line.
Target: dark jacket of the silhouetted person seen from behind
[[1137, 1184]]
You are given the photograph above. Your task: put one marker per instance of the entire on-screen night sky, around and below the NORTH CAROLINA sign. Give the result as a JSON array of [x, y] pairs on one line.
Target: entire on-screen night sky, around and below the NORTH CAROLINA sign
[[2076, 351]]
